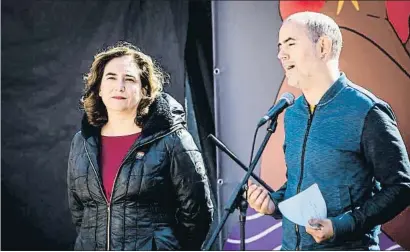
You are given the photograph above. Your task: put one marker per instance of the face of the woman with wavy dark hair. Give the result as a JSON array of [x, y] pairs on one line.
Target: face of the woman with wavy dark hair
[[120, 87]]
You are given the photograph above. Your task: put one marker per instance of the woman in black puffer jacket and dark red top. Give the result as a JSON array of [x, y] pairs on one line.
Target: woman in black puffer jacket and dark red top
[[136, 180]]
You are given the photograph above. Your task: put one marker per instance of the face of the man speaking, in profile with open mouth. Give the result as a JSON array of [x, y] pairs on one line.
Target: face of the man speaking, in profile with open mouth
[[297, 53]]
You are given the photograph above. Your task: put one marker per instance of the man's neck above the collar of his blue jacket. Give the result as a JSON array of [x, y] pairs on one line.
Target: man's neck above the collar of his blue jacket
[[318, 85]]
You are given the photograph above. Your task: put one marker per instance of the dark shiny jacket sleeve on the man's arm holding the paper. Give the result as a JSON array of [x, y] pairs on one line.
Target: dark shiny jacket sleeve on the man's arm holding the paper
[[385, 153]]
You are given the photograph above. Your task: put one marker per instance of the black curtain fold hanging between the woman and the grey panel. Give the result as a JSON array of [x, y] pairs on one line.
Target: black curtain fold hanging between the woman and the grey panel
[[199, 66]]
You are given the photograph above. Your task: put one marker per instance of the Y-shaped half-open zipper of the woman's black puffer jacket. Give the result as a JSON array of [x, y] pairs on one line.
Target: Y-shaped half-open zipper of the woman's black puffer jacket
[[115, 179]]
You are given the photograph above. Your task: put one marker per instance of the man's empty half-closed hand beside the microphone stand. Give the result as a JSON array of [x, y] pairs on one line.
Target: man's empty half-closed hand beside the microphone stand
[[259, 199]]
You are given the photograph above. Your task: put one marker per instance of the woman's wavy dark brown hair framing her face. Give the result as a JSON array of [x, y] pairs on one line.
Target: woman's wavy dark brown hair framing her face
[[152, 81]]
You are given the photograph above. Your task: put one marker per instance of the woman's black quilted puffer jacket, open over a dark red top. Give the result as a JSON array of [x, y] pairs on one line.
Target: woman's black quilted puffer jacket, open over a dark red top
[[161, 197]]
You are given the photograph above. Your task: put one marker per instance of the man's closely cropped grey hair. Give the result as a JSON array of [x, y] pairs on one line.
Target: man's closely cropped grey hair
[[319, 25]]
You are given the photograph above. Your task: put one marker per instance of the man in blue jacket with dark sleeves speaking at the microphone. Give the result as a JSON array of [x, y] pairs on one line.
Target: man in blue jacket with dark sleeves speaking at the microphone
[[339, 136]]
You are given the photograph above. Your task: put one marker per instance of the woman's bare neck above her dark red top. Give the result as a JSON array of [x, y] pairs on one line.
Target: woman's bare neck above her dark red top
[[120, 124]]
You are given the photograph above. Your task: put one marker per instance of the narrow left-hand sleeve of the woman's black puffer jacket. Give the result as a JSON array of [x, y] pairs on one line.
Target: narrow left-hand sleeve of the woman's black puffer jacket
[[74, 202]]
